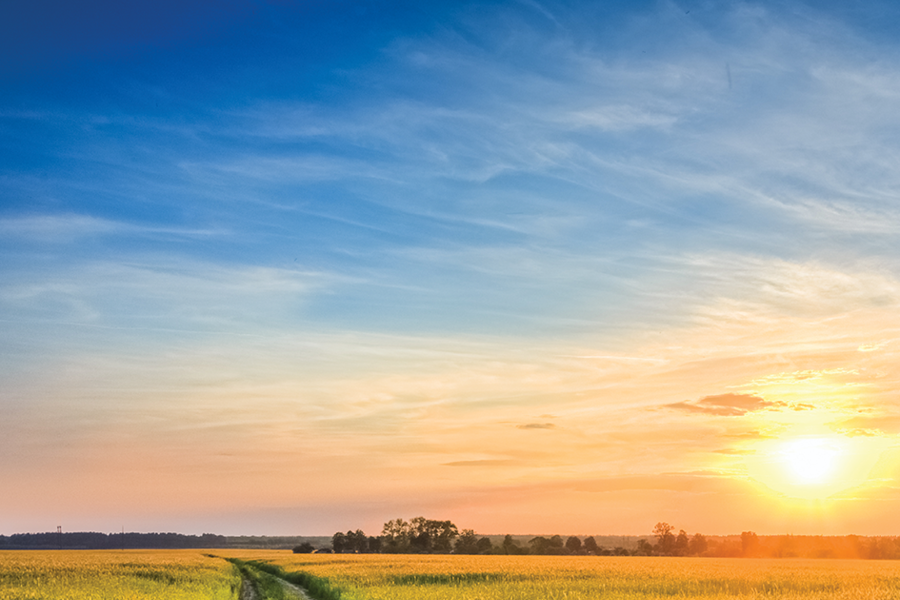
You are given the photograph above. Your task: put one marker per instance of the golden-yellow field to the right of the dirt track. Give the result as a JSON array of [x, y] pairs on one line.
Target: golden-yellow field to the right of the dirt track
[[395, 577]]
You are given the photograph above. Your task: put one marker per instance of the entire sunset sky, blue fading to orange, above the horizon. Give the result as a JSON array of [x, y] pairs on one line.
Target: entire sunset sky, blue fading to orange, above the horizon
[[291, 268]]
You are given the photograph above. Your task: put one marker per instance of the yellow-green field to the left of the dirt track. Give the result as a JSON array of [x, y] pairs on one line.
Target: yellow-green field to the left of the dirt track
[[112, 574]]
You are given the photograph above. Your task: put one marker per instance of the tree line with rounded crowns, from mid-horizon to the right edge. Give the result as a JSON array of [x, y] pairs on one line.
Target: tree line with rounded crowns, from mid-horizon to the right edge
[[426, 536]]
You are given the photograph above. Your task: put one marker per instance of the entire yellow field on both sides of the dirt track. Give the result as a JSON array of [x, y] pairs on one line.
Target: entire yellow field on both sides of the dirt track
[[191, 575]]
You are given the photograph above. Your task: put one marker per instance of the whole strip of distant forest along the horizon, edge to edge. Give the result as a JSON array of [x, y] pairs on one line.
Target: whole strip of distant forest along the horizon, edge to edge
[[426, 536]]
